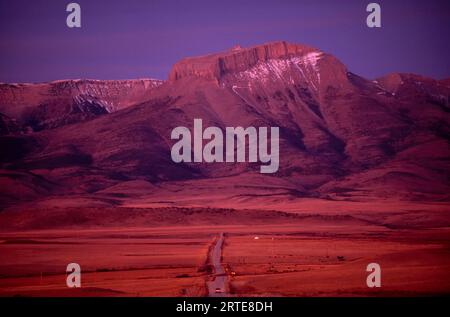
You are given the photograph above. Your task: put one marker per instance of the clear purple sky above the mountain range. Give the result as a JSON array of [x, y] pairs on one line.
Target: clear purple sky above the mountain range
[[137, 38]]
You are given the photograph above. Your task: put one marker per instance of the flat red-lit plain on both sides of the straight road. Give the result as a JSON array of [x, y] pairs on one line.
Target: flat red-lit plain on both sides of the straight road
[[291, 256]]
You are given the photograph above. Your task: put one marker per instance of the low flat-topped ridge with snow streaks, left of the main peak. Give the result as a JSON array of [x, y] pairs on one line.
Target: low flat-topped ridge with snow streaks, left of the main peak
[[50, 105]]
